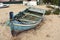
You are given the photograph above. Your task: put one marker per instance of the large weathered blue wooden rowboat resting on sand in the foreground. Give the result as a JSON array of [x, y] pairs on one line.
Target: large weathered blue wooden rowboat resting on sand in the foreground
[[27, 19]]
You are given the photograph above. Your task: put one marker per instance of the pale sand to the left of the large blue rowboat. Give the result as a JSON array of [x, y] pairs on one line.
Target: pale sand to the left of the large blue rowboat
[[5, 31]]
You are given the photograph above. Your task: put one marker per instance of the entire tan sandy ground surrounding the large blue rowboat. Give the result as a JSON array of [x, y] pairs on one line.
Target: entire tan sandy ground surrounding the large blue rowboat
[[49, 29]]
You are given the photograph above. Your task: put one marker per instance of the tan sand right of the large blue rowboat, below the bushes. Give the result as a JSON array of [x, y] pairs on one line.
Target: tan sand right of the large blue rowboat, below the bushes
[[49, 29]]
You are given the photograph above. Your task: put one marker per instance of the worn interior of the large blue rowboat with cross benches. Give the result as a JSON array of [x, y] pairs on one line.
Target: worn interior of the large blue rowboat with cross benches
[[28, 17]]
